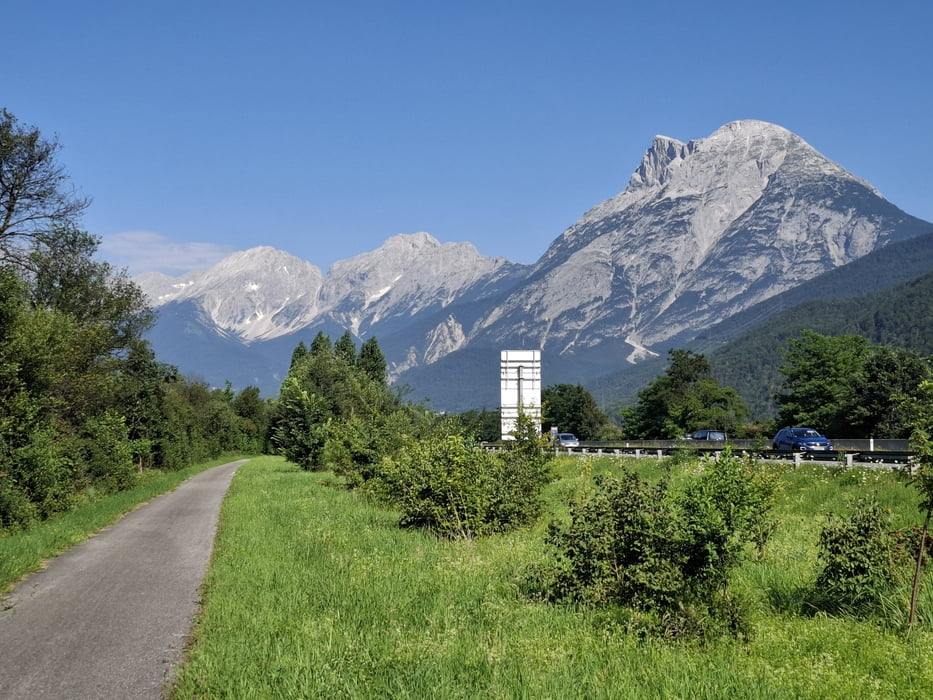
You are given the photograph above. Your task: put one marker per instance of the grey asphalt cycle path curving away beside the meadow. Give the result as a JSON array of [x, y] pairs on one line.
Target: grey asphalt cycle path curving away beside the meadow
[[110, 617]]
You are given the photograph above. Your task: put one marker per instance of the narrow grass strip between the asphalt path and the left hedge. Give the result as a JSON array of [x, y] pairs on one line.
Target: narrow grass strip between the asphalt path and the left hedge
[[25, 551]]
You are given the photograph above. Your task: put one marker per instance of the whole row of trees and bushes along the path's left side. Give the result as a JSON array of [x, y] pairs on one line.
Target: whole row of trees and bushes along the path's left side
[[85, 406]]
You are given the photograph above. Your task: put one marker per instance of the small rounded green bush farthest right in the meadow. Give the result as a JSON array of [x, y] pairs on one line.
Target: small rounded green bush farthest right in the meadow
[[860, 562]]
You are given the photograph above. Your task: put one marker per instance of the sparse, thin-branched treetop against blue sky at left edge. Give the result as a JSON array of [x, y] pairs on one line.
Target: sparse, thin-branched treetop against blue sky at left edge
[[34, 193]]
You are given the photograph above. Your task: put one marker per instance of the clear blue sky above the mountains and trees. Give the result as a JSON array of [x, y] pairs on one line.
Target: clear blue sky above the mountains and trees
[[200, 127]]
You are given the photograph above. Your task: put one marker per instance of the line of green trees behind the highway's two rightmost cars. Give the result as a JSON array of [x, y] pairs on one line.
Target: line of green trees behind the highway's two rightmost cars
[[842, 386]]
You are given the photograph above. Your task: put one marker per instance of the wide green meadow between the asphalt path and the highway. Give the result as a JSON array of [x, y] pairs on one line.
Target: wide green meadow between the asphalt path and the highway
[[315, 592]]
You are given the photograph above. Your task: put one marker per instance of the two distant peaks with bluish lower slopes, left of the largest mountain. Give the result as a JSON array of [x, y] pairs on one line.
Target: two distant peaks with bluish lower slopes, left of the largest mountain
[[248, 312]]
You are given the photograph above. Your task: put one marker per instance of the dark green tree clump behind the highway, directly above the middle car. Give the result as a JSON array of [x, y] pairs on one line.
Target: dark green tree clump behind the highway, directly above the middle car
[[684, 399]]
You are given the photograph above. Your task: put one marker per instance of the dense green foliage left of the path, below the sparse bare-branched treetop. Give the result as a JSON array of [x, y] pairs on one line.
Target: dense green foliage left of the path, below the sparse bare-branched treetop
[[84, 406]]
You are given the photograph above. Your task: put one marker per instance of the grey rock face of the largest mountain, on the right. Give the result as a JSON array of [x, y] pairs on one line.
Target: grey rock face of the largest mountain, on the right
[[703, 230]]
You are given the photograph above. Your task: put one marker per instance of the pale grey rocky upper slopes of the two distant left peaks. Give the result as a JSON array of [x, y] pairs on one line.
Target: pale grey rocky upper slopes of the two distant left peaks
[[264, 293]]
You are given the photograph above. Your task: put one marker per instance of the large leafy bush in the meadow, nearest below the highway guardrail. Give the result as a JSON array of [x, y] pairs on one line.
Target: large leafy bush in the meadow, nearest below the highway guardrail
[[663, 553]]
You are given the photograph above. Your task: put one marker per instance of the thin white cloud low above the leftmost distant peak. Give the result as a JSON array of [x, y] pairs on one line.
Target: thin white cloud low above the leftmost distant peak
[[141, 251]]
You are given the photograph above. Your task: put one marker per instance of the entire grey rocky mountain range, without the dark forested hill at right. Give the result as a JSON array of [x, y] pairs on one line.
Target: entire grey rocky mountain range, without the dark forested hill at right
[[719, 228]]
